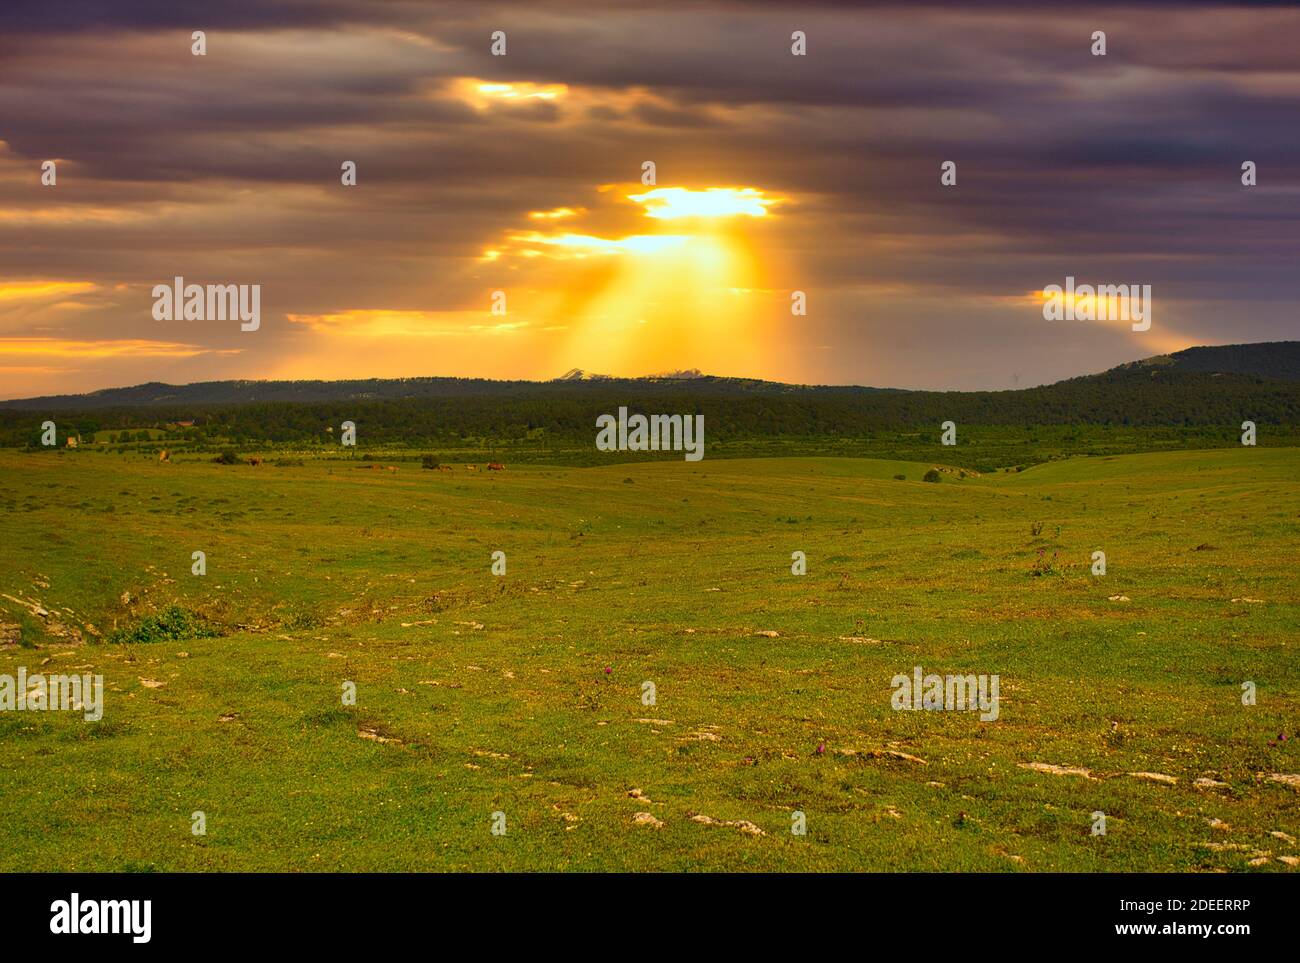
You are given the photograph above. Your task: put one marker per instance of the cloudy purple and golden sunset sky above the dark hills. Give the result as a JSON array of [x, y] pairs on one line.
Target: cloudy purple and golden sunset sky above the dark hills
[[501, 224]]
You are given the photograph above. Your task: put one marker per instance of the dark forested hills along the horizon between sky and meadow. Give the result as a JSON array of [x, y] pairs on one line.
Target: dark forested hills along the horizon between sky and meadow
[[1188, 392]]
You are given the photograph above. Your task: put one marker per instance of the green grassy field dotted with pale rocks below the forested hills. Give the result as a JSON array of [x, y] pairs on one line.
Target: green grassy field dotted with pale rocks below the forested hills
[[523, 693]]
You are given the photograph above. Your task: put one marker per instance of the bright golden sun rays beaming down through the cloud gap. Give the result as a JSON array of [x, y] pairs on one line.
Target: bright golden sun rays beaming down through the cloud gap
[[642, 301]]
